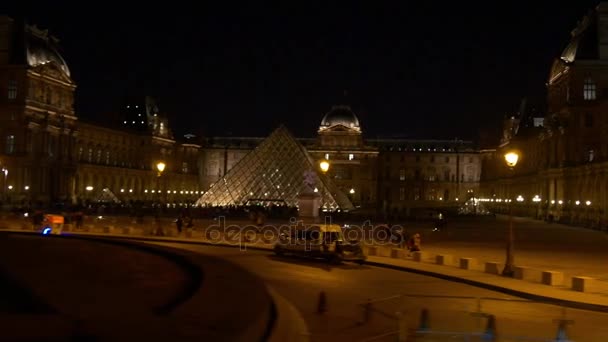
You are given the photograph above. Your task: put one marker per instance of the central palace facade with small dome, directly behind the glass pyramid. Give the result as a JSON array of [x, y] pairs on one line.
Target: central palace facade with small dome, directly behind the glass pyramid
[[389, 176]]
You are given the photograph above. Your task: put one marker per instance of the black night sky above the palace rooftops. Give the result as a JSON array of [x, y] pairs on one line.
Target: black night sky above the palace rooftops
[[421, 69]]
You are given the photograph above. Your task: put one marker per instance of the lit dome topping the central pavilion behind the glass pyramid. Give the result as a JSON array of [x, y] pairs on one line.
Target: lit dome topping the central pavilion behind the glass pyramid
[[340, 128]]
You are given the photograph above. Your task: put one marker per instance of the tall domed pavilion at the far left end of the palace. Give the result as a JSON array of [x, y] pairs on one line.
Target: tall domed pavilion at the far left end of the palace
[[38, 131]]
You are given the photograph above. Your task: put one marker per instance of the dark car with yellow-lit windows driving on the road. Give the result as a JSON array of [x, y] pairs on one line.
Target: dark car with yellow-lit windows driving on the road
[[319, 241]]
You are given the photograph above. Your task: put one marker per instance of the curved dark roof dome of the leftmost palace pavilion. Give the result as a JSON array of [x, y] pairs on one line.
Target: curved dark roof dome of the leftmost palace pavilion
[[40, 50]]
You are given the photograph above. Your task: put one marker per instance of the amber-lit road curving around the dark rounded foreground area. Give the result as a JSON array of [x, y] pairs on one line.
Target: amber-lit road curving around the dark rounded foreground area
[[301, 281]]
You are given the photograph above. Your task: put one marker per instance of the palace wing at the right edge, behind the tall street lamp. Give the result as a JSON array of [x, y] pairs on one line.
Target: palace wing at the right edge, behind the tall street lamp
[[563, 171]]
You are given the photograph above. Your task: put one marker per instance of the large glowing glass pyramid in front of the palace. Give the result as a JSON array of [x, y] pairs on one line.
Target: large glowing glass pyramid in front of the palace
[[273, 173]]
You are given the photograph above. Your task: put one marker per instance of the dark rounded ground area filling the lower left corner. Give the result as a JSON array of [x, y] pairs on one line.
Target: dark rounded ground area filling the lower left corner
[[57, 288]]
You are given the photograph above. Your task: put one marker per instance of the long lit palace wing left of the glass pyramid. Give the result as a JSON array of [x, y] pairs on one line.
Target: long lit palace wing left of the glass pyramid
[[50, 156]]
